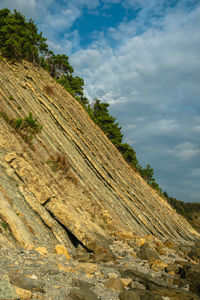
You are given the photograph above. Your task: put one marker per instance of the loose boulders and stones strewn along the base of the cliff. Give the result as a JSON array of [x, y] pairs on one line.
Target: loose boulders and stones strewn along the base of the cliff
[[41, 274]]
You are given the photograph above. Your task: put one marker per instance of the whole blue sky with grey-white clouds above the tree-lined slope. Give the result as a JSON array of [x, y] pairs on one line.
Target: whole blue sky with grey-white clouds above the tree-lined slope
[[143, 58]]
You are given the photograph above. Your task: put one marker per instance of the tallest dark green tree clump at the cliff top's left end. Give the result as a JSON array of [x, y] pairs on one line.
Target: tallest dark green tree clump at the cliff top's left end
[[19, 39]]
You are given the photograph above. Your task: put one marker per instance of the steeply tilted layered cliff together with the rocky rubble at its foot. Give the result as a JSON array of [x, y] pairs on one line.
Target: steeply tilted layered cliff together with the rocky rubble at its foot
[[76, 222]]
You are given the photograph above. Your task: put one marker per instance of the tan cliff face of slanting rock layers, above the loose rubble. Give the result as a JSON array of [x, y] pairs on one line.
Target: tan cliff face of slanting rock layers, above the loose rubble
[[71, 185]]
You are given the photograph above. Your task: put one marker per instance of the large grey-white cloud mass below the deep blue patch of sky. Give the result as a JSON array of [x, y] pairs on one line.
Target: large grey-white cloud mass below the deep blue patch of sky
[[151, 81]]
